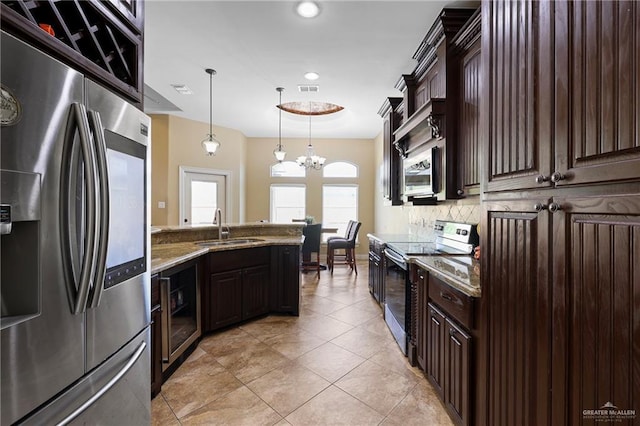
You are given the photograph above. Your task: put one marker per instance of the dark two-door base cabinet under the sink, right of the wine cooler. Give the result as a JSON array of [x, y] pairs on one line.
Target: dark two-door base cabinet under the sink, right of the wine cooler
[[238, 287]]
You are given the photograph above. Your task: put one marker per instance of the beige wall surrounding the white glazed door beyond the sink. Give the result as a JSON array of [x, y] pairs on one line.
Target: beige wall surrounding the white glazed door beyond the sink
[[175, 143]]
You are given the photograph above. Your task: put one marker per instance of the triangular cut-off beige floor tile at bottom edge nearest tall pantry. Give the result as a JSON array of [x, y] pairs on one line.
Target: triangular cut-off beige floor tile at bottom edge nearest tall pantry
[[421, 407]]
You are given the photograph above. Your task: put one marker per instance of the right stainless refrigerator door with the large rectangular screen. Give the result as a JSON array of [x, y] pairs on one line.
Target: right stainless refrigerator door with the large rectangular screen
[[121, 307]]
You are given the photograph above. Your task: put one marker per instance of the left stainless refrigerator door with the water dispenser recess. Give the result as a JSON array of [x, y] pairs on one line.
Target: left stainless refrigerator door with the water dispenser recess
[[42, 341]]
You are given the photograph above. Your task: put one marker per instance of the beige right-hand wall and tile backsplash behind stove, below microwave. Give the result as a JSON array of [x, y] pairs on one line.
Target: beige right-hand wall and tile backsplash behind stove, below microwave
[[418, 220]]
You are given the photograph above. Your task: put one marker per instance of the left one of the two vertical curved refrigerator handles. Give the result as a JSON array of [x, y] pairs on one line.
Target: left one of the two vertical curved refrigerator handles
[[89, 240]]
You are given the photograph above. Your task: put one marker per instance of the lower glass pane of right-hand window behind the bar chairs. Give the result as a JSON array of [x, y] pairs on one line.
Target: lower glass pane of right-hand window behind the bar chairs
[[339, 206]]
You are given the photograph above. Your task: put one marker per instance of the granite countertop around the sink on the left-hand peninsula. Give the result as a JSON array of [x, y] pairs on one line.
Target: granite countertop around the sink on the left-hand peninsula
[[165, 256]]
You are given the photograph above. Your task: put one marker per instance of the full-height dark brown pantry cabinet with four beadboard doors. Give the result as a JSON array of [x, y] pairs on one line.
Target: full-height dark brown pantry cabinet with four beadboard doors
[[560, 328]]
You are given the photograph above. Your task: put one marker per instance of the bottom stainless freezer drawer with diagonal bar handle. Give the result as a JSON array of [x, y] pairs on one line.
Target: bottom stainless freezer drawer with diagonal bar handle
[[116, 393]]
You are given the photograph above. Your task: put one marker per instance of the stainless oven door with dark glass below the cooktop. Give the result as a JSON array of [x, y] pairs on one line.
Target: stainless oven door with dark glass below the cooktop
[[396, 297]]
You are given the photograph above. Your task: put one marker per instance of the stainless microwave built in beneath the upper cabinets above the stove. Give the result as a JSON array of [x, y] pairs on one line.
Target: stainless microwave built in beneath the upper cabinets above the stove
[[422, 173]]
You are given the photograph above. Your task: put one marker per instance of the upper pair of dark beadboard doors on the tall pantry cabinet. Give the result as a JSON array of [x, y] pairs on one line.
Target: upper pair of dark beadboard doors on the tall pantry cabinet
[[562, 105]]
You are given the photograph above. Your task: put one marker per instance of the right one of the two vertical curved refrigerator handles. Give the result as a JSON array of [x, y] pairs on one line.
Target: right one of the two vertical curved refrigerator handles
[[103, 207]]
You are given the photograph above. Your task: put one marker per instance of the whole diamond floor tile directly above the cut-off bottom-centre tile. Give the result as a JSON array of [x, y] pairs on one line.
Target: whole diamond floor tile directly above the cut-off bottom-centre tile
[[330, 361]]
